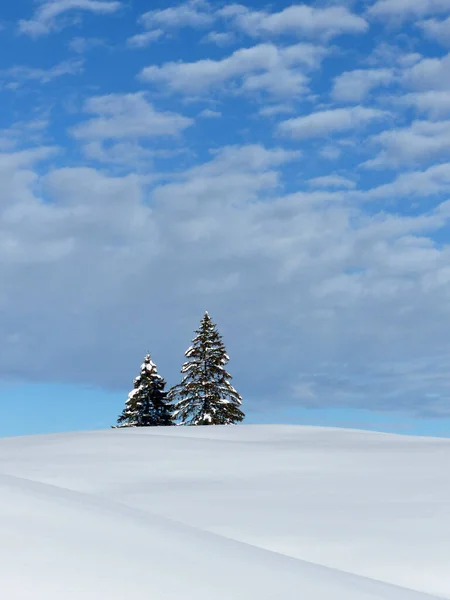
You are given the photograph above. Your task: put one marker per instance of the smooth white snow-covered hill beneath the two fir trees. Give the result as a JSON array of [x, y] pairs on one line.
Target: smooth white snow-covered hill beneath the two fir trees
[[232, 512]]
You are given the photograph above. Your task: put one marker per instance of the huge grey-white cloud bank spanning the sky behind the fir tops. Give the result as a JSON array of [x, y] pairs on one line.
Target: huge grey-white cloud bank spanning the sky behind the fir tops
[[104, 254]]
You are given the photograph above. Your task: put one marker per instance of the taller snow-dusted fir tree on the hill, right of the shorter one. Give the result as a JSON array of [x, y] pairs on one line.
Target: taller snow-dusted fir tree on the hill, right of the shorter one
[[205, 396]]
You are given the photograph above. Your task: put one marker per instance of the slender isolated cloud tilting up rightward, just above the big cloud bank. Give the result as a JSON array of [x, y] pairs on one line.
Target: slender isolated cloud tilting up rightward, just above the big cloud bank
[[330, 121]]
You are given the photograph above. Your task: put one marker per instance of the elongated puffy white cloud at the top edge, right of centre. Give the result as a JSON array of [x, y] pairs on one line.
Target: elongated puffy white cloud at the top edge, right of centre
[[299, 20]]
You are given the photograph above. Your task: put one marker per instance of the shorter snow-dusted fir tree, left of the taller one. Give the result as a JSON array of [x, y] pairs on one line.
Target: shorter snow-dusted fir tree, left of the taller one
[[147, 403]]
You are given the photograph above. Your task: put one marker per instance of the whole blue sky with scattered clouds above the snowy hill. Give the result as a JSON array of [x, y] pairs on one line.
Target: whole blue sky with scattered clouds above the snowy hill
[[285, 167]]
